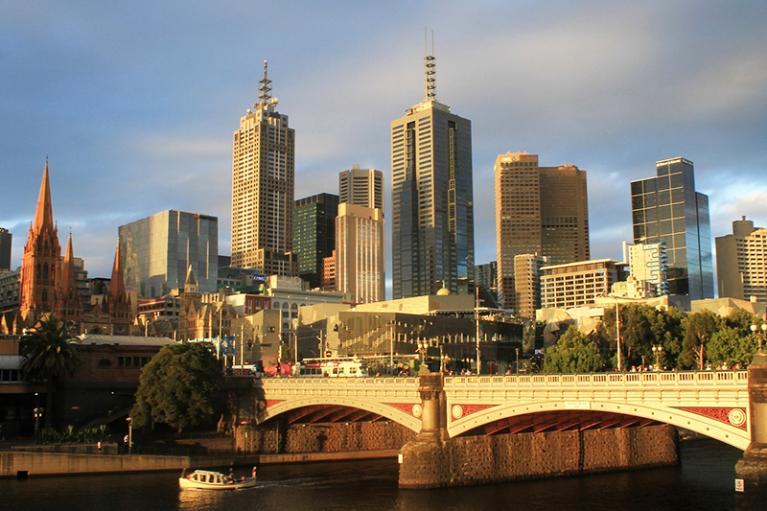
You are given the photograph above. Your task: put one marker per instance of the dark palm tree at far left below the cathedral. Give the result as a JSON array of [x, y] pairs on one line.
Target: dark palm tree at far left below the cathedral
[[49, 355]]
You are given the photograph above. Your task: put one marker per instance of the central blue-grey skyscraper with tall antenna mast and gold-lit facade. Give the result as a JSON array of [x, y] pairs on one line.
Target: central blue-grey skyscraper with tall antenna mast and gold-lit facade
[[432, 197]]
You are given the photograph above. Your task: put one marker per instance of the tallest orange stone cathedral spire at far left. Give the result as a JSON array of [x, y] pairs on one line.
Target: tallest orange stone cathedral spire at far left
[[41, 261]]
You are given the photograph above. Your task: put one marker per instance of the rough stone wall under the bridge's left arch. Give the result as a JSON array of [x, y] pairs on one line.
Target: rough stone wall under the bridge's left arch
[[330, 437]]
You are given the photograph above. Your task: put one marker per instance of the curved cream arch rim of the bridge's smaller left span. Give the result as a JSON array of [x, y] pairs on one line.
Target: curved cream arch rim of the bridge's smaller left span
[[393, 413]]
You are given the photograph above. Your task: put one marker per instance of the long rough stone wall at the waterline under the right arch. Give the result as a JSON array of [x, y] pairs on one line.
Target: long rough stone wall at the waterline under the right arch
[[484, 459]]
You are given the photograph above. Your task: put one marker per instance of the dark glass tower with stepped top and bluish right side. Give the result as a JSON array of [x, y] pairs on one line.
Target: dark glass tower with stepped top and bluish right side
[[666, 208]]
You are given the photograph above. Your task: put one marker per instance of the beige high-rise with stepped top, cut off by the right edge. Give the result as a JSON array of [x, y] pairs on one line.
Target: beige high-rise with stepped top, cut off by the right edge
[[741, 262]]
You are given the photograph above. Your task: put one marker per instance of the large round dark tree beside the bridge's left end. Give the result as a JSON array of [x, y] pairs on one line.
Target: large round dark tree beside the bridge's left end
[[181, 386]]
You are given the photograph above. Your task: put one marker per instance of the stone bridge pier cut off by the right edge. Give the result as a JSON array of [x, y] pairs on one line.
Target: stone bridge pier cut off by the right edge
[[751, 470]]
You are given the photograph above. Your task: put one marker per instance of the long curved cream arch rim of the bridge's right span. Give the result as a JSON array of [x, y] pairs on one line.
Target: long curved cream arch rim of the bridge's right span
[[697, 423]]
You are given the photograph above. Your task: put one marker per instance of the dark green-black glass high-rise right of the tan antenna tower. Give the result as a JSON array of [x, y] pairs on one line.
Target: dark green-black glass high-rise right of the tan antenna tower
[[314, 227]]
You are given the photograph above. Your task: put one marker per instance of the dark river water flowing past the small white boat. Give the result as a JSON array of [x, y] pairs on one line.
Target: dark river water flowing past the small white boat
[[703, 482]]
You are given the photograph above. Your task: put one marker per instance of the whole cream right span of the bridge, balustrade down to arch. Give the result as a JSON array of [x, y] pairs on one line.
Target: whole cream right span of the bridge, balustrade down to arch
[[712, 403]]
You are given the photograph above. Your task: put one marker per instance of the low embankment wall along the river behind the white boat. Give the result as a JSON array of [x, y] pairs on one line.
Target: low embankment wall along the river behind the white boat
[[22, 464]]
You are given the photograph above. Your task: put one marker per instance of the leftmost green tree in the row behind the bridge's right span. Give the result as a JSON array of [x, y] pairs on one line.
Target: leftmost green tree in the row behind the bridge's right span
[[573, 353]]
